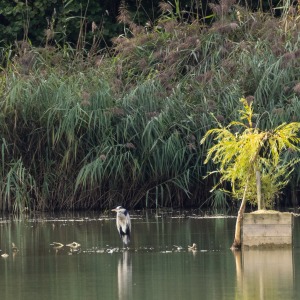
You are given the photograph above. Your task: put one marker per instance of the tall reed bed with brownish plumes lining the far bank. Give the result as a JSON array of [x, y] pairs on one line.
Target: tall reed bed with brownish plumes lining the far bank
[[83, 127]]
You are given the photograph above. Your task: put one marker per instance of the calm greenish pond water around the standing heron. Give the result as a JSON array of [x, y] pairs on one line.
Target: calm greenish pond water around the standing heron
[[157, 265]]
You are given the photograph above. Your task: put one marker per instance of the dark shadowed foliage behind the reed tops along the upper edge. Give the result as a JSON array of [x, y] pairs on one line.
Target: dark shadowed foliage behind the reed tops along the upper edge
[[63, 20]]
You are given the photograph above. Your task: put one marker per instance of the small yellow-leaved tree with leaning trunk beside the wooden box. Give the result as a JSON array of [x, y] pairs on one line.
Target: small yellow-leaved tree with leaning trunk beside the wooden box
[[241, 153]]
